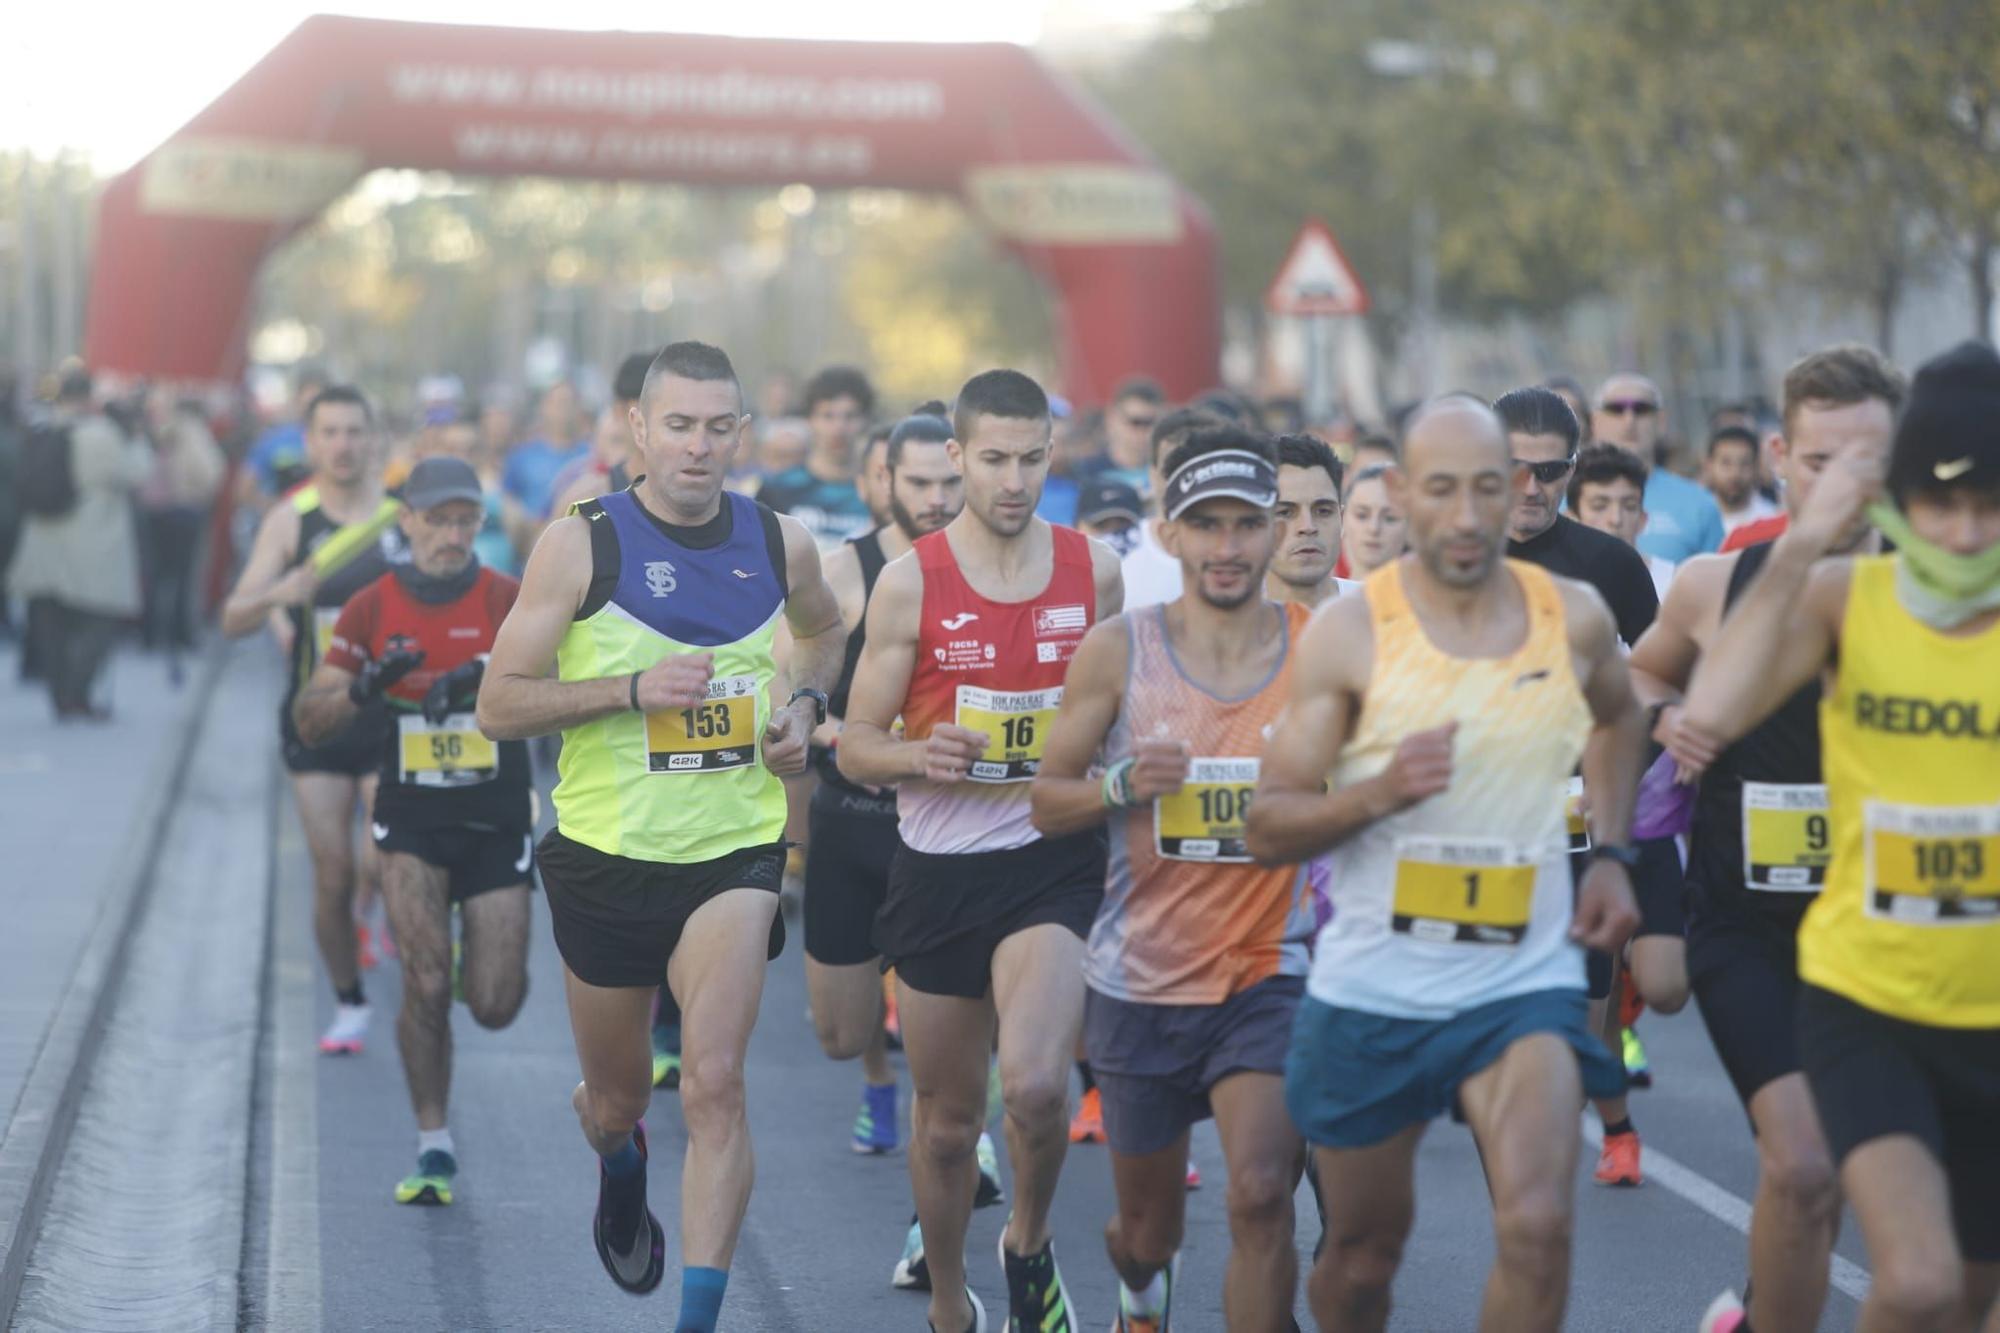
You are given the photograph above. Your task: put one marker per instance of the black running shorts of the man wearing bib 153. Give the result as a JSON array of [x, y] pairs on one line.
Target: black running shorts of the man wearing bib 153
[[621, 920]]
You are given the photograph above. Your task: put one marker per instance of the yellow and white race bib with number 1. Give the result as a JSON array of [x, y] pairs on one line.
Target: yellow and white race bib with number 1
[[1463, 892]]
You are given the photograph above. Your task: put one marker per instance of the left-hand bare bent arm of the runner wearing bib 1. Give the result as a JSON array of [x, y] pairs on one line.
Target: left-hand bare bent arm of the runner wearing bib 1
[[1295, 818]]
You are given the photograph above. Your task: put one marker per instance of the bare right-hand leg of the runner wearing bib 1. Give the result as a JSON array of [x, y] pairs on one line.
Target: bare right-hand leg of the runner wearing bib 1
[[1523, 1110]]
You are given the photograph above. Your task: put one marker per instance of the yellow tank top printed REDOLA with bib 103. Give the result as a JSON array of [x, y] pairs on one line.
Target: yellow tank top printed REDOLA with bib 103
[[1909, 924]]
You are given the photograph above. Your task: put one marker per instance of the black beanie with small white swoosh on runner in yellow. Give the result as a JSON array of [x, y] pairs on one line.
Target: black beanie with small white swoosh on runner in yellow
[[1949, 433]]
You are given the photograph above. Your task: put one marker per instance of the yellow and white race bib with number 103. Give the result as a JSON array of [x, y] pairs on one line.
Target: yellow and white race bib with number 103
[[1933, 866]]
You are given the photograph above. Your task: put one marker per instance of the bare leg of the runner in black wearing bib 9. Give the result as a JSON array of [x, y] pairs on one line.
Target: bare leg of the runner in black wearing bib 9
[[1797, 1210]]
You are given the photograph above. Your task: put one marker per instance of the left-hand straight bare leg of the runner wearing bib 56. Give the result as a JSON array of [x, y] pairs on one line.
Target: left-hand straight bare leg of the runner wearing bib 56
[[421, 908]]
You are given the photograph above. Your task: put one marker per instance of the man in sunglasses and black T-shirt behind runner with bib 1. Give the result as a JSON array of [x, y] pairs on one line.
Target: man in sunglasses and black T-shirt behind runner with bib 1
[[1543, 435]]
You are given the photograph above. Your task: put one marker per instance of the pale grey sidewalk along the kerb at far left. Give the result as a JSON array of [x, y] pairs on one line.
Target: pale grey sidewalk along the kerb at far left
[[79, 808]]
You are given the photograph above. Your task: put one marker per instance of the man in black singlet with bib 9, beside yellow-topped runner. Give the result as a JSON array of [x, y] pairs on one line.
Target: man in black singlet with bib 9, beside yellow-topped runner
[[1759, 852]]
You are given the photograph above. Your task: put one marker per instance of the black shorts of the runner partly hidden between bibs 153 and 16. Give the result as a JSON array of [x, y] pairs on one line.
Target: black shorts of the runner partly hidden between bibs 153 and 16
[[849, 848]]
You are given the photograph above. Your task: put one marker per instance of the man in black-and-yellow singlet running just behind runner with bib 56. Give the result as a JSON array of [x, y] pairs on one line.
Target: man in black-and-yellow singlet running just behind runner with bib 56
[[313, 551]]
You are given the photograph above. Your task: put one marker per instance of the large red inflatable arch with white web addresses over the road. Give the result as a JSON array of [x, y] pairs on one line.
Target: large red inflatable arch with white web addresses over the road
[[181, 237]]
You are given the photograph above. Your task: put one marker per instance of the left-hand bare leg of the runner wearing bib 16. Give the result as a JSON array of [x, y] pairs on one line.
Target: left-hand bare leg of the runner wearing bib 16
[[947, 1042]]
